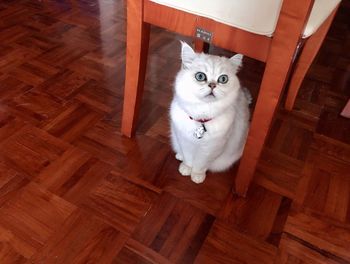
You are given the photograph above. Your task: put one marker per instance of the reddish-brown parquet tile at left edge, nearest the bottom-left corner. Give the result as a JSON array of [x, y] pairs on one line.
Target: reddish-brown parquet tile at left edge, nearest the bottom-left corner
[[31, 217]]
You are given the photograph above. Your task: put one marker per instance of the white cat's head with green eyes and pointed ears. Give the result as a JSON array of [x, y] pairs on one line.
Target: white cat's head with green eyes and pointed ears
[[205, 78]]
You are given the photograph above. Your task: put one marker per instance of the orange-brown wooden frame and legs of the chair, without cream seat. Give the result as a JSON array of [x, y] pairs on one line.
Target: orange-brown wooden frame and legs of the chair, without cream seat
[[278, 52]]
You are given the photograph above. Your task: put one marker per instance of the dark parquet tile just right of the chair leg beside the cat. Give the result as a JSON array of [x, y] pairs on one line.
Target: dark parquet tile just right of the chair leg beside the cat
[[283, 158]]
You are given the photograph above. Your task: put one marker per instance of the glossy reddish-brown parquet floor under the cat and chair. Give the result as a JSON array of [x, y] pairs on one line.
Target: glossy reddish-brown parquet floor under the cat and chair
[[73, 190]]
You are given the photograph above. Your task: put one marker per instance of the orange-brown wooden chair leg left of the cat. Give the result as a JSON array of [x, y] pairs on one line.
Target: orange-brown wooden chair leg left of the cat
[[136, 59]]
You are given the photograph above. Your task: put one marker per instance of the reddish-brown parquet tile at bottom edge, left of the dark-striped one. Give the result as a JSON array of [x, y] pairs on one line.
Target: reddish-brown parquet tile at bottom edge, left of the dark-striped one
[[82, 238]]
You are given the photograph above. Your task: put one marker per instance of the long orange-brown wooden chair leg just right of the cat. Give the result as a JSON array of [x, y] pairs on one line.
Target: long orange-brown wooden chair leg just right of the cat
[[278, 64]]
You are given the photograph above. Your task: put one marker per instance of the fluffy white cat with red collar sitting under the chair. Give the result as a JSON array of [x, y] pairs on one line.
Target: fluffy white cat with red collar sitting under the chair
[[209, 114]]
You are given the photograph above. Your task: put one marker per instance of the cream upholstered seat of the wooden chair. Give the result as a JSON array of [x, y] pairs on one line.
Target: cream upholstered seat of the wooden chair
[[256, 16]]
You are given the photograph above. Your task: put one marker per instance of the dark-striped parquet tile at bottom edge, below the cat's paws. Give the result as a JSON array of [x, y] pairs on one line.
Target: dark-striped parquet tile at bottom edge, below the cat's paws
[[174, 228]]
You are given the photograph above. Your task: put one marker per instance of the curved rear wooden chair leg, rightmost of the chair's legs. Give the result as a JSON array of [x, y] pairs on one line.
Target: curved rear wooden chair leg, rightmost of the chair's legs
[[307, 55]]
